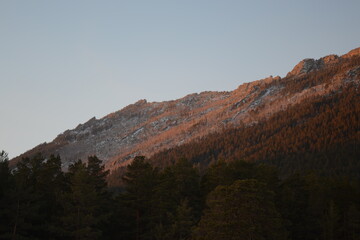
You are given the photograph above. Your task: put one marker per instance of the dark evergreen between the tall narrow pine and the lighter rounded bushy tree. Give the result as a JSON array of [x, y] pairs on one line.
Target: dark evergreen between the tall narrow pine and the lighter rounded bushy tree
[[177, 197]]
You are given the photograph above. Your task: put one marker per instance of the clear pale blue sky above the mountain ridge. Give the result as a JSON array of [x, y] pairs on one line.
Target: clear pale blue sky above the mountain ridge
[[63, 62]]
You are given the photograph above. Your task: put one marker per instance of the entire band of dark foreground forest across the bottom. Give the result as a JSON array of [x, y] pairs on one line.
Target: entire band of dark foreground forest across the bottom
[[228, 200]]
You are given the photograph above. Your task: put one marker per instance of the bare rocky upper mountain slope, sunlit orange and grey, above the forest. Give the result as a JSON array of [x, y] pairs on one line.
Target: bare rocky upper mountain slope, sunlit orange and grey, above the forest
[[145, 128]]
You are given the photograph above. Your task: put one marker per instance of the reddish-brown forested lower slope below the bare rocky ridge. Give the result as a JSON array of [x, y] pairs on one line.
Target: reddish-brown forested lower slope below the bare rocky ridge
[[321, 134]]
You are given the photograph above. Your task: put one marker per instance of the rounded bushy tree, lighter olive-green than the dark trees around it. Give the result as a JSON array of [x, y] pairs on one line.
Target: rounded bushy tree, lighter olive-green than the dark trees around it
[[243, 210]]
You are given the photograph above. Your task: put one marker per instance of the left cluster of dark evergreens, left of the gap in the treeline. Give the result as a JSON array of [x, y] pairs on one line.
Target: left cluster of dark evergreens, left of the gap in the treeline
[[39, 201]]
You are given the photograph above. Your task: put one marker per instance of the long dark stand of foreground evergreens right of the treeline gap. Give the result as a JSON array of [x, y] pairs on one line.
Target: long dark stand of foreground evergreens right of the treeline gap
[[235, 200]]
